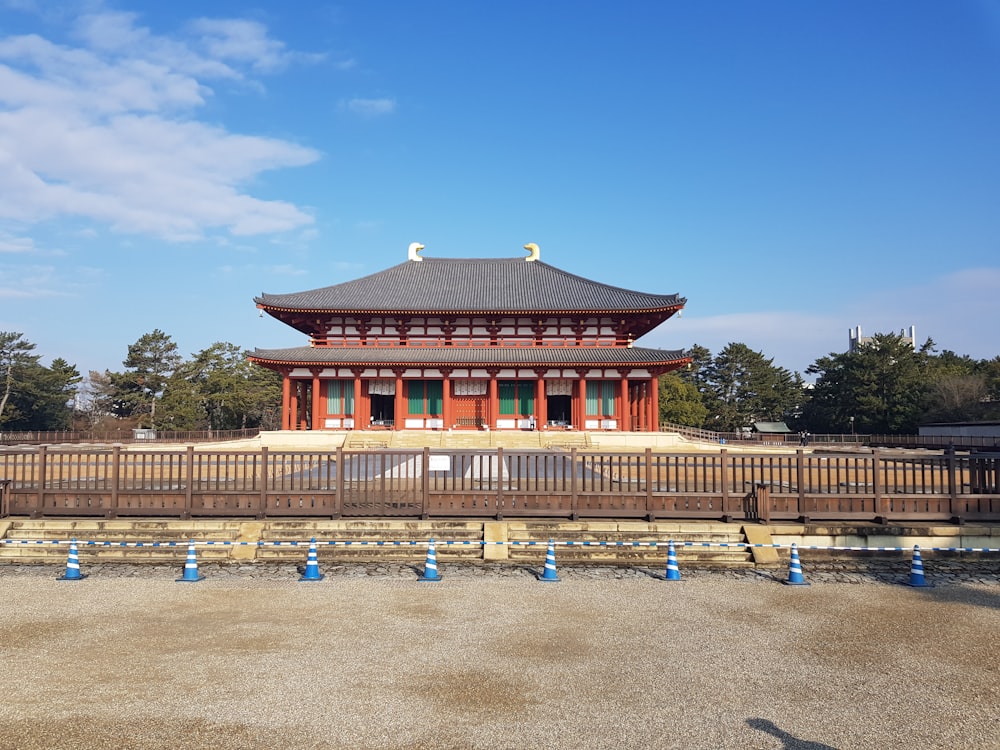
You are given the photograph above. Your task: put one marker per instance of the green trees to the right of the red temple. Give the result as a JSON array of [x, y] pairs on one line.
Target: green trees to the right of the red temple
[[884, 387]]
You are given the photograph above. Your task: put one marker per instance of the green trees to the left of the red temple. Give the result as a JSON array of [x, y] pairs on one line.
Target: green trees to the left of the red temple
[[215, 389]]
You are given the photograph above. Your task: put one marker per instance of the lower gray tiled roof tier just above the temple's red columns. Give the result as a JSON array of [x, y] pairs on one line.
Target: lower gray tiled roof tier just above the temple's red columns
[[472, 356]]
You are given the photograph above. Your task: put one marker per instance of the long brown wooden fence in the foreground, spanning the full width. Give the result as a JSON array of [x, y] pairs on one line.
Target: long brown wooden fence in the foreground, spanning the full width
[[427, 483]]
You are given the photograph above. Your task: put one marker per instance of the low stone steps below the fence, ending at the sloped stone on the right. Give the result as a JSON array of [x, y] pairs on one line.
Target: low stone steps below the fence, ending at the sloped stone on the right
[[99, 541]]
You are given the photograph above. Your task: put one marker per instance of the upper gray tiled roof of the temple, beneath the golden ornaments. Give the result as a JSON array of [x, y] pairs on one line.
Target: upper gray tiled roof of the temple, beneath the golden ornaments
[[472, 285]]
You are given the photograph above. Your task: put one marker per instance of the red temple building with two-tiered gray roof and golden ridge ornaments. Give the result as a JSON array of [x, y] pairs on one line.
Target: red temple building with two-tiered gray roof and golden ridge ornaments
[[477, 343]]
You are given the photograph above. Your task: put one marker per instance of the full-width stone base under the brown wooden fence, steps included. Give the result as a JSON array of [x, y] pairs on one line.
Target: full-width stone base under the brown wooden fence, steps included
[[515, 541]]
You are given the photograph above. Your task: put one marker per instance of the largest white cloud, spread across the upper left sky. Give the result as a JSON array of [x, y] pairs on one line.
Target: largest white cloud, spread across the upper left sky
[[106, 130]]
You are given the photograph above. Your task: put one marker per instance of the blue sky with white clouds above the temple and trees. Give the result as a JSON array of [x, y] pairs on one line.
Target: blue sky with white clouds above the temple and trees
[[794, 169]]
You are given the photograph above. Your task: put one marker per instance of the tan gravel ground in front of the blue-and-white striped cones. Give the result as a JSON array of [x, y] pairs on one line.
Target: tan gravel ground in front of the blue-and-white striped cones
[[489, 657]]
